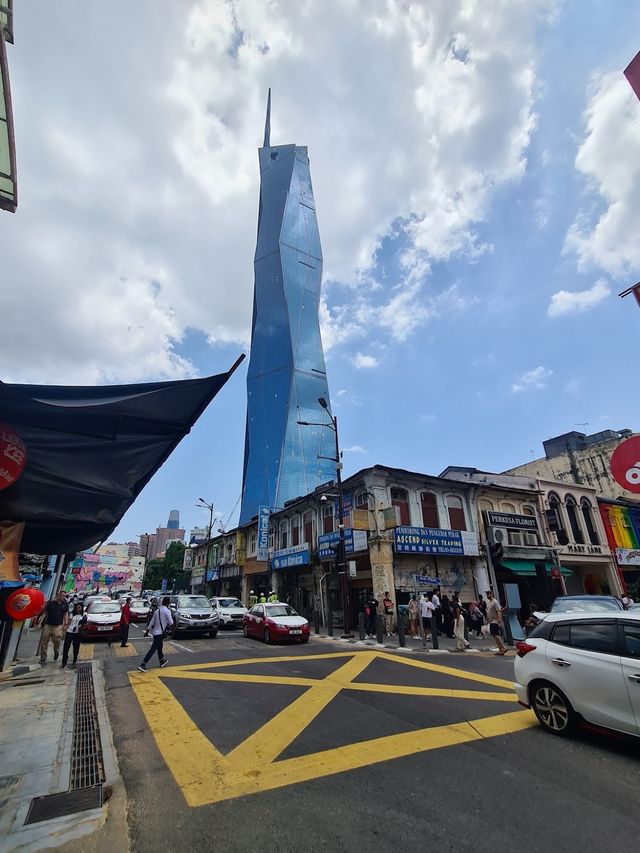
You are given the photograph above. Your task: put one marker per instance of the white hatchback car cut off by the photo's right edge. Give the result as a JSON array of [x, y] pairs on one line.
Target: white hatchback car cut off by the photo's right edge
[[578, 668]]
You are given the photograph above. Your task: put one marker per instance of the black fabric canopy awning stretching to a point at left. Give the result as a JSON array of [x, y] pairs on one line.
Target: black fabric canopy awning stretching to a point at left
[[91, 451]]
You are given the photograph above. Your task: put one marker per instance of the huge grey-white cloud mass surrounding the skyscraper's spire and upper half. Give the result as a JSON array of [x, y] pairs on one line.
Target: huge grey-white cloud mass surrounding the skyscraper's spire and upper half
[[137, 210]]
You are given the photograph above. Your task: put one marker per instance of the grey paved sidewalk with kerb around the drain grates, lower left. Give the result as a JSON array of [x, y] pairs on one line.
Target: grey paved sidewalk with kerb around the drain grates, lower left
[[36, 740]]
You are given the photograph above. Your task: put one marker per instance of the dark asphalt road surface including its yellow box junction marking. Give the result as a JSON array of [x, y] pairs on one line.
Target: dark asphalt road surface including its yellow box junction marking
[[338, 749]]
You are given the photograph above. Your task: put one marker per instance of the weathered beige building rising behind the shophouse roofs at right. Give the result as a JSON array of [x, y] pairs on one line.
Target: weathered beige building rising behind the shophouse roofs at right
[[581, 459]]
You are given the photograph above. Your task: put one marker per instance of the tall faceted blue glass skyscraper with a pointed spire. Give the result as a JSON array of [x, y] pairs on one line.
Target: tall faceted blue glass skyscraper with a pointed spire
[[287, 375]]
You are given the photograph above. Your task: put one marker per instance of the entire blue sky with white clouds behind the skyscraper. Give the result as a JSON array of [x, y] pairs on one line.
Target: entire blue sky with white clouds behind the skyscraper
[[476, 167]]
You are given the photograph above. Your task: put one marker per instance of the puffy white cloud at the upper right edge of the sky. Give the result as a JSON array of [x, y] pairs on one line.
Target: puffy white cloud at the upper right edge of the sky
[[608, 158]]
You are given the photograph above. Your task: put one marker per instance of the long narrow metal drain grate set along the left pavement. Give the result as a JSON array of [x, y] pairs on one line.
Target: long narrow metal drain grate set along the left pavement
[[86, 750]]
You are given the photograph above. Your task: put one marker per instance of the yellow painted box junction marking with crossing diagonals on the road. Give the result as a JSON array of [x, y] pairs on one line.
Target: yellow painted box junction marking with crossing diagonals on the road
[[253, 766]]
